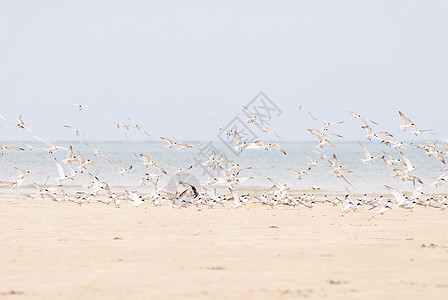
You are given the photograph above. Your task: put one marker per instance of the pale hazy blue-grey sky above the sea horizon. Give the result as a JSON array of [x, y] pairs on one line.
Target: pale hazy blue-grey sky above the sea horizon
[[170, 65]]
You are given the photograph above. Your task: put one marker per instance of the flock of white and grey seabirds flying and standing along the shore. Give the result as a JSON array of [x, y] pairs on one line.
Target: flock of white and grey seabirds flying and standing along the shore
[[225, 173]]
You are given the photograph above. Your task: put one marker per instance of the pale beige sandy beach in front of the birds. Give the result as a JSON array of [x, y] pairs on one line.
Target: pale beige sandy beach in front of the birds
[[53, 250]]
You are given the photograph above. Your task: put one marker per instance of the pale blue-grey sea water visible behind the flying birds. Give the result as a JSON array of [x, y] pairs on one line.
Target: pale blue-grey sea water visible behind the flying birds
[[262, 164]]
